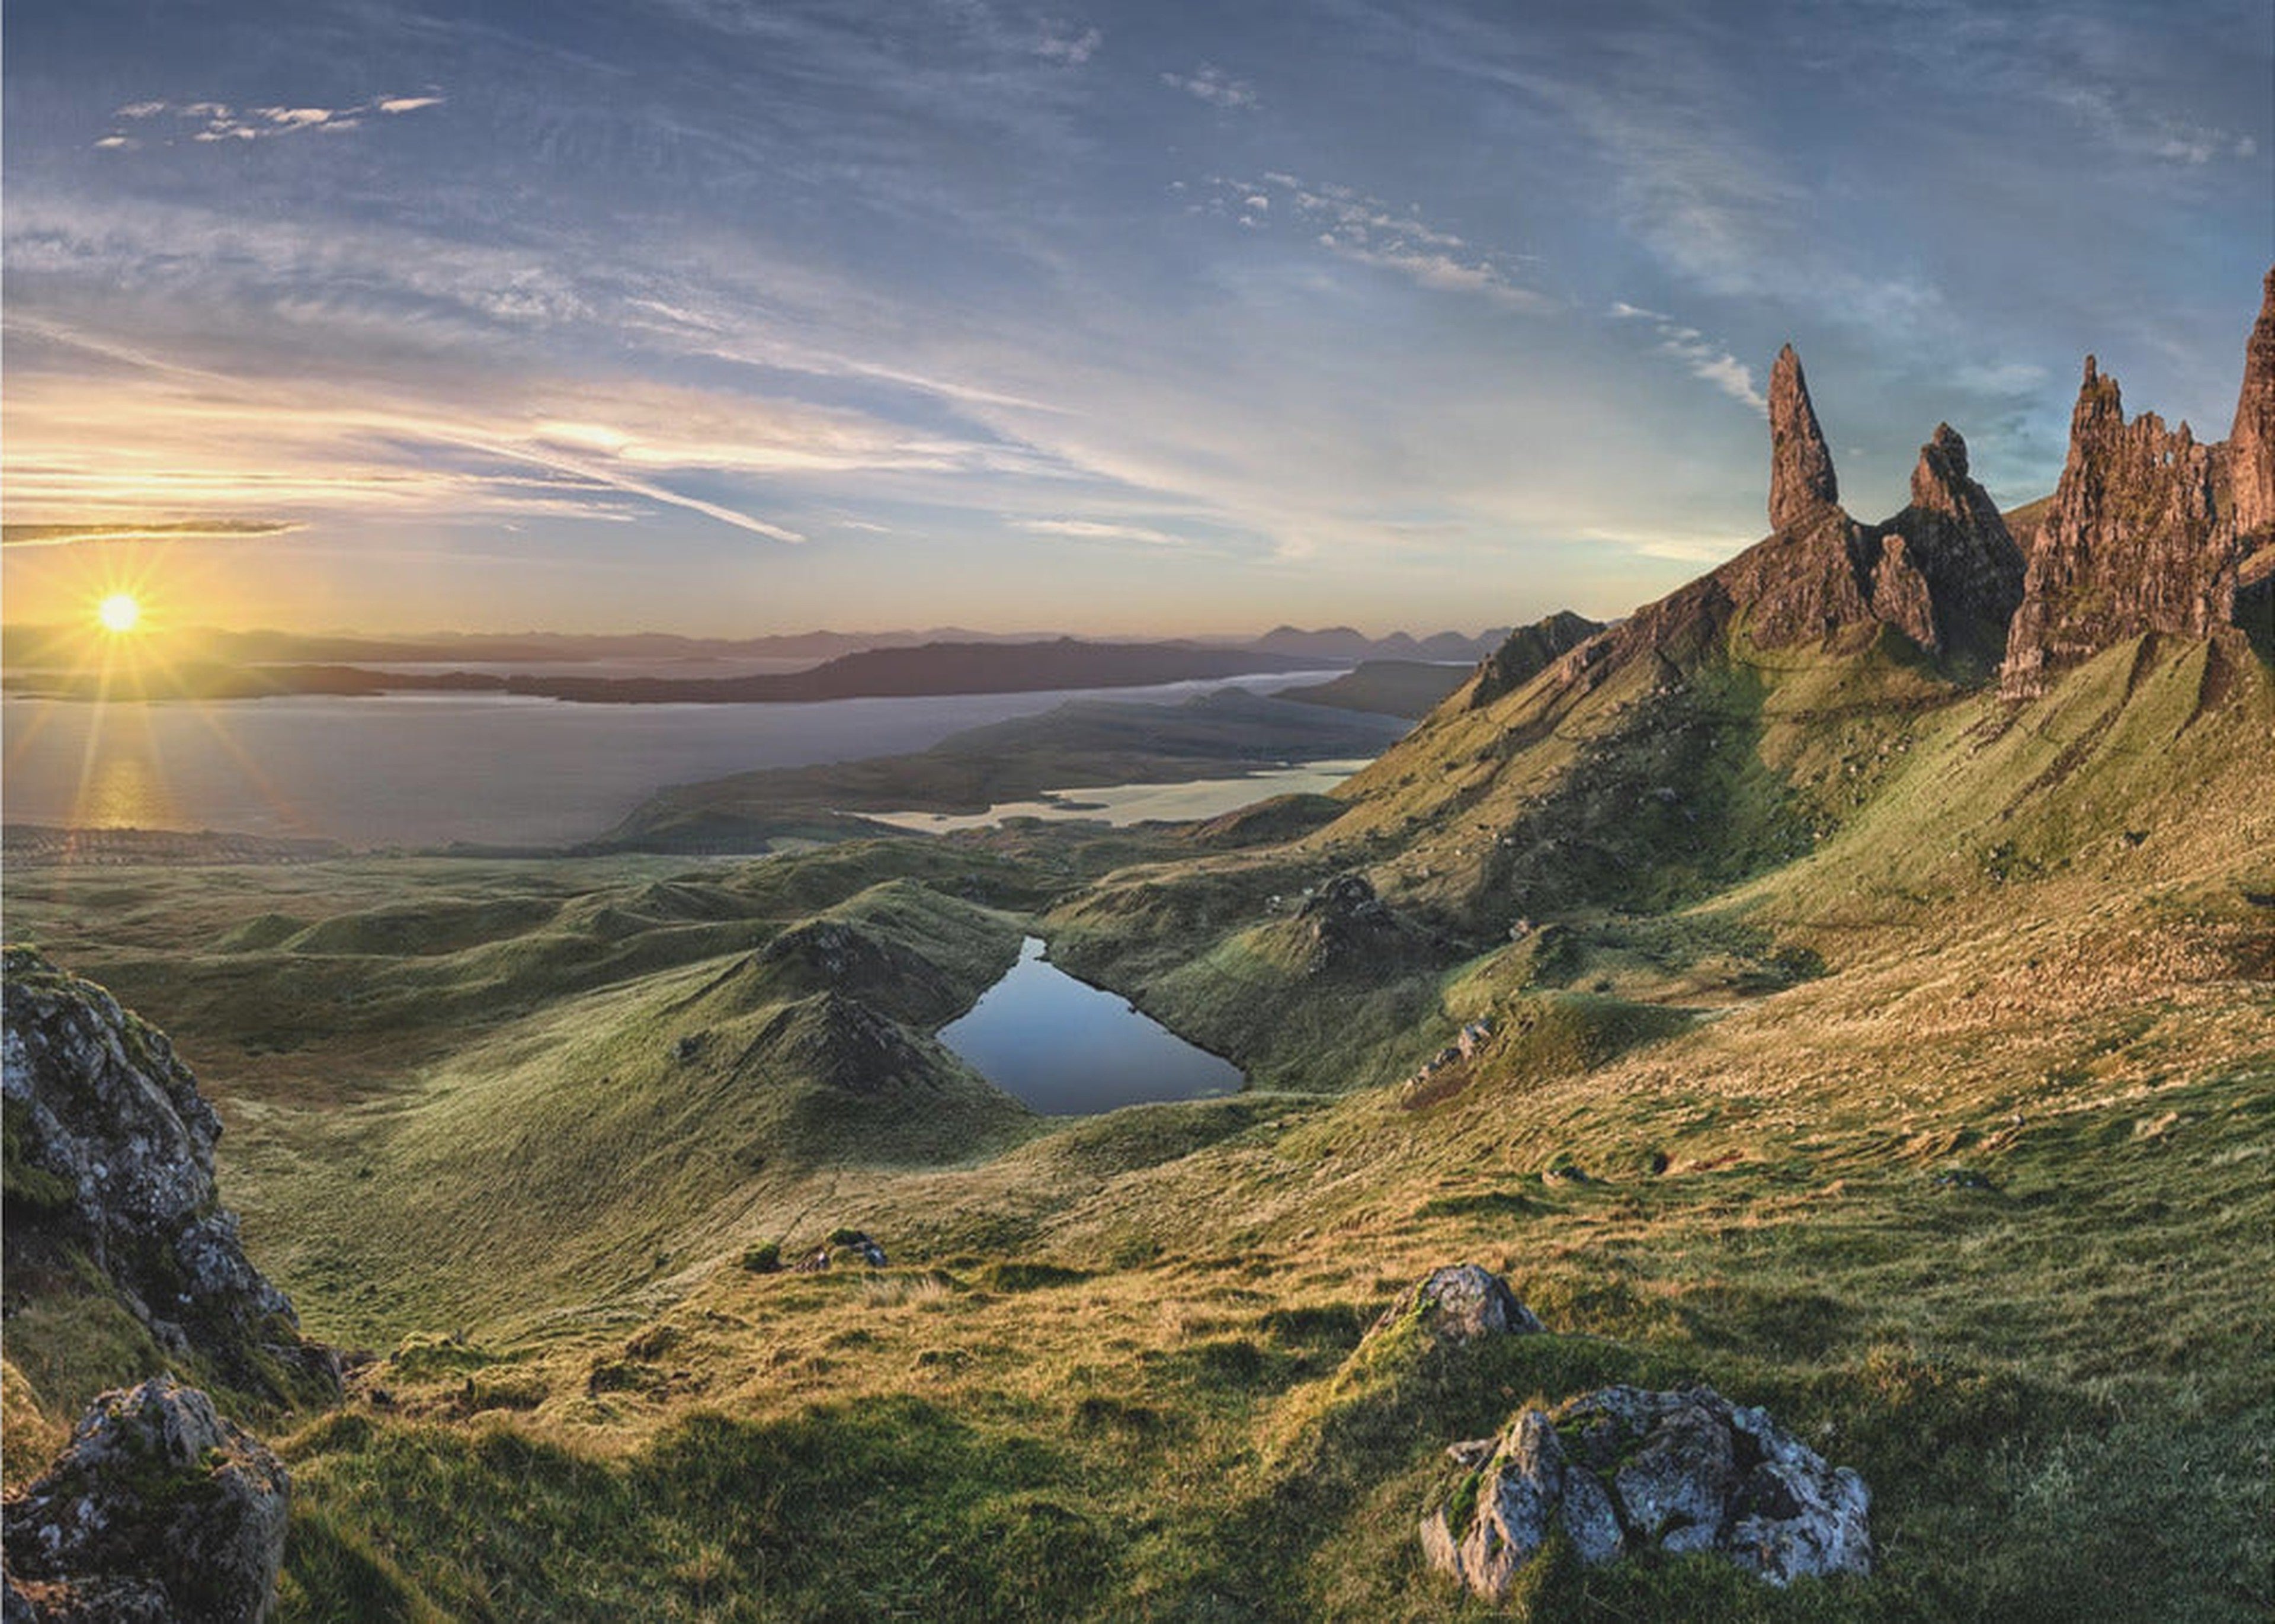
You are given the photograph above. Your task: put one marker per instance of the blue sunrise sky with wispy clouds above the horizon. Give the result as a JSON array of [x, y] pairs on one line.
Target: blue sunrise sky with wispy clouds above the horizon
[[736, 317]]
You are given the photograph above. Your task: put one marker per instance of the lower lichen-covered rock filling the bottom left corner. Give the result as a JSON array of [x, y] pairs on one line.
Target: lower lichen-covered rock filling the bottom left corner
[[156, 1509]]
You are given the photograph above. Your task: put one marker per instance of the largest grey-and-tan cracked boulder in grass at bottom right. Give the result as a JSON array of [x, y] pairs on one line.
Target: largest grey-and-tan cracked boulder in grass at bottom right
[[1628, 1470]]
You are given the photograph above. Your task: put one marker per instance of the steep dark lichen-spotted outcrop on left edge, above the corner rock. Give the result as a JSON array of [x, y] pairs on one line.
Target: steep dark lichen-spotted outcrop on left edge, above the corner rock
[[110, 1175]]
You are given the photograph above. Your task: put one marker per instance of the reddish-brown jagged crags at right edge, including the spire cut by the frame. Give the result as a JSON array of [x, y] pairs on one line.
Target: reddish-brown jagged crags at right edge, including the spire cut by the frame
[[2149, 529]]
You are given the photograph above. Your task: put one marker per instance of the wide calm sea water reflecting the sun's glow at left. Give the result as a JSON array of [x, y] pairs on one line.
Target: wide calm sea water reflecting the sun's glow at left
[[427, 770]]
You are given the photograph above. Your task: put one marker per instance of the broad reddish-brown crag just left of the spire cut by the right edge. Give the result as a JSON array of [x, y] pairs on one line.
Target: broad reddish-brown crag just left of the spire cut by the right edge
[[2135, 542]]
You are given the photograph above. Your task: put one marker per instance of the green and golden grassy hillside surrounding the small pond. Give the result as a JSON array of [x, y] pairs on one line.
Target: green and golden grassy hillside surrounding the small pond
[[1912, 1072]]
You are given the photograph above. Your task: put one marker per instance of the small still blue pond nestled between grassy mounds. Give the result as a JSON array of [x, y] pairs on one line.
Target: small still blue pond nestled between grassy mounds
[[1070, 1050]]
